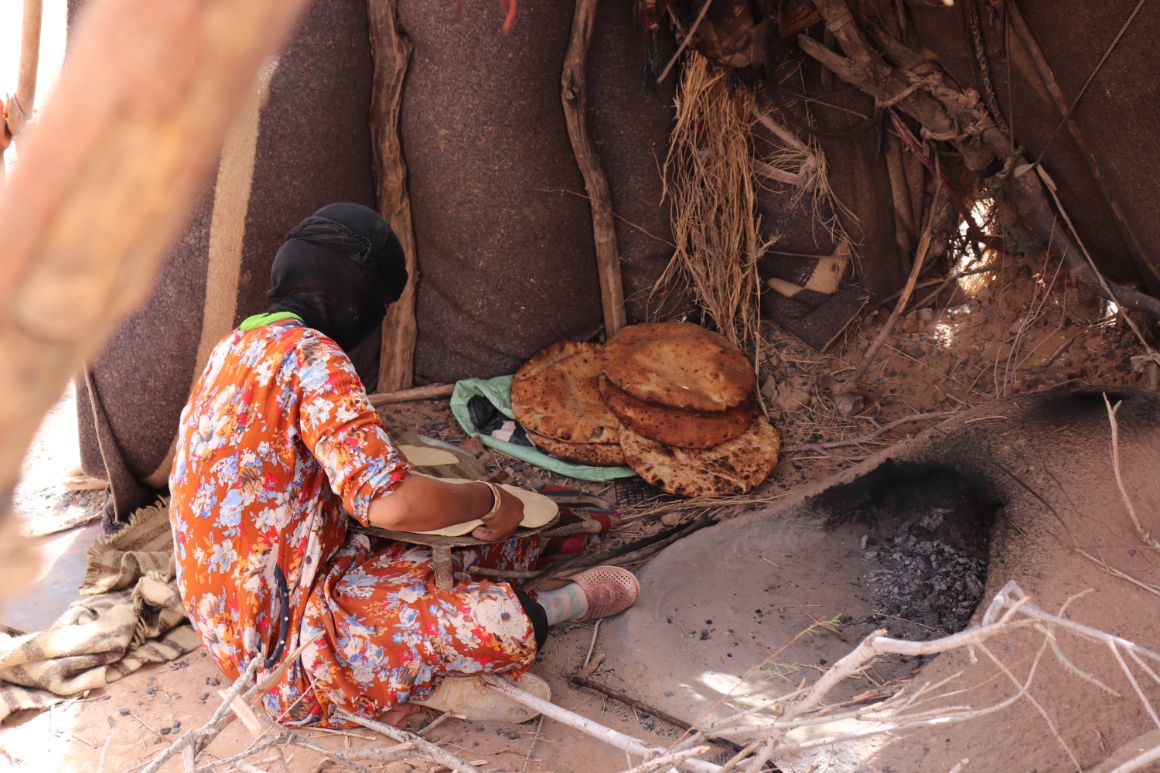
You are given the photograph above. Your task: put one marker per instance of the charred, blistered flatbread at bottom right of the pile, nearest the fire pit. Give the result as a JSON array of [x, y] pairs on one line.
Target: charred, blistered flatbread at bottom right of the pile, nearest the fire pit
[[738, 466]]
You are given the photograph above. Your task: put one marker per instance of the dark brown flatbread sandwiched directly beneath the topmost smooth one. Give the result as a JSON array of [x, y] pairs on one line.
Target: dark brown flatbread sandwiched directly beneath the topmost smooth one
[[676, 428]]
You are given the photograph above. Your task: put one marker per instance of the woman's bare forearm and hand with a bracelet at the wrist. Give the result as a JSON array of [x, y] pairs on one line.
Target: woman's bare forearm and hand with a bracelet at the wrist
[[422, 504]]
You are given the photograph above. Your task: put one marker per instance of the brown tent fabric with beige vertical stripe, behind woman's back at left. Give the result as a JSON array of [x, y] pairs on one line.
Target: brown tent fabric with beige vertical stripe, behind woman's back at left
[[304, 142]]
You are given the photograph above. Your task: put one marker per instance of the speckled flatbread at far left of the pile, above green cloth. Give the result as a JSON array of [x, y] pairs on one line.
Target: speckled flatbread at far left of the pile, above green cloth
[[555, 394]]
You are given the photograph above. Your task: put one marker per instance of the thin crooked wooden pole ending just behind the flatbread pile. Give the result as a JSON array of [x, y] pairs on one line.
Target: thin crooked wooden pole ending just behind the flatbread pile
[[575, 98]]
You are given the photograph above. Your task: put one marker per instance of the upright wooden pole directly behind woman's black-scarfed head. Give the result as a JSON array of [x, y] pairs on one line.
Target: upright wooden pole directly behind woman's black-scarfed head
[[391, 52]]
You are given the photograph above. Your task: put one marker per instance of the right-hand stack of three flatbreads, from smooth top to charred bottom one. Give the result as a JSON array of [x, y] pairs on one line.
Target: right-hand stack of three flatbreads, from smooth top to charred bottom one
[[685, 400]]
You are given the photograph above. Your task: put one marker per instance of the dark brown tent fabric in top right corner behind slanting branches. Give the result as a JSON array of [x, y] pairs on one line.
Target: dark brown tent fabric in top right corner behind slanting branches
[[1115, 117]]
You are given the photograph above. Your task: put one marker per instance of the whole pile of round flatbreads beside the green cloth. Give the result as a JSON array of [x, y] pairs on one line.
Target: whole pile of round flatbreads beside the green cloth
[[672, 401]]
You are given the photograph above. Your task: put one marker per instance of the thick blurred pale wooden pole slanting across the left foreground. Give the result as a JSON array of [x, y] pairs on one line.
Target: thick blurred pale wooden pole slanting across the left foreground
[[107, 179]]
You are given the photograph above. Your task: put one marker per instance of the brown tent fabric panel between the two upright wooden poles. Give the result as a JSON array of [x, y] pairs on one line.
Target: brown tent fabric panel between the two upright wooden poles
[[506, 256]]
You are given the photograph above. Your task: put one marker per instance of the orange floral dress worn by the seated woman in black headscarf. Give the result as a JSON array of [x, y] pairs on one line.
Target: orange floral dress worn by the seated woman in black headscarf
[[278, 447]]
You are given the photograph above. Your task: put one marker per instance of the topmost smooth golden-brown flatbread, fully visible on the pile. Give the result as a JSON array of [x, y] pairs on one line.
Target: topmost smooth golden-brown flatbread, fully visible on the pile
[[679, 365]]
